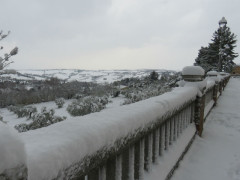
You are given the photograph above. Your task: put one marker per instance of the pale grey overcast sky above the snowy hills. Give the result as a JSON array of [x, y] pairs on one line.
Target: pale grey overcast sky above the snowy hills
[[113, 34]]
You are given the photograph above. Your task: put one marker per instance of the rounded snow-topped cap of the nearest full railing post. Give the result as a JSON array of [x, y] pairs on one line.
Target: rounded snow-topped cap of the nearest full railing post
[[193, 73]]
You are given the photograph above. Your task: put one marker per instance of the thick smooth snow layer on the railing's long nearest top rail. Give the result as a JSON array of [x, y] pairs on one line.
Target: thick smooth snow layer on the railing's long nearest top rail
[[55, 148]]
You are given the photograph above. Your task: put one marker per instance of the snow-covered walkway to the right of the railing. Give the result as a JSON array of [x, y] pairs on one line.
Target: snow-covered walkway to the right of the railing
[[216, 156]]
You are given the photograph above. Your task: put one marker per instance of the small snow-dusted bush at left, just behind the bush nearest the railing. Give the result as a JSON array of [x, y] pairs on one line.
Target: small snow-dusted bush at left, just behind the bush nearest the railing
[[26, 111]]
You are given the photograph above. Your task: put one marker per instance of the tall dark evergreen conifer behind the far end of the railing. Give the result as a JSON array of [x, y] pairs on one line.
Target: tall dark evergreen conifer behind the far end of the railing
[[221, 47]]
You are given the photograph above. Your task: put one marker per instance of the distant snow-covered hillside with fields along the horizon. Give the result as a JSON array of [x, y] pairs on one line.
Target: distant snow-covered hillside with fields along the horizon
[[98, 76]]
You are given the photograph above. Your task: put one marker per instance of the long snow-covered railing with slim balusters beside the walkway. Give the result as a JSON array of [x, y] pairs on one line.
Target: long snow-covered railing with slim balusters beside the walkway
[[121, 143]]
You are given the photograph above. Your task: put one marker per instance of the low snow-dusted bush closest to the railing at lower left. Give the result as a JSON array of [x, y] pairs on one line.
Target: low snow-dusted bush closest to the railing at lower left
[[43, 119]]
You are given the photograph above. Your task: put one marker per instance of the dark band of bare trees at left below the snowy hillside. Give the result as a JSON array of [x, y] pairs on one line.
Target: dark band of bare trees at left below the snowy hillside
[[30, 92]]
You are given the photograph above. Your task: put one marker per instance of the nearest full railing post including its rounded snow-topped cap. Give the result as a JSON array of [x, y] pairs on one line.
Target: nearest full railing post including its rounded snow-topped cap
[[194, 76]]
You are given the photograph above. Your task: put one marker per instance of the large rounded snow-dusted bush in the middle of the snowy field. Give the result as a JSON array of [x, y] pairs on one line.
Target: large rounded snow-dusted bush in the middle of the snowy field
[[87, 105]]
